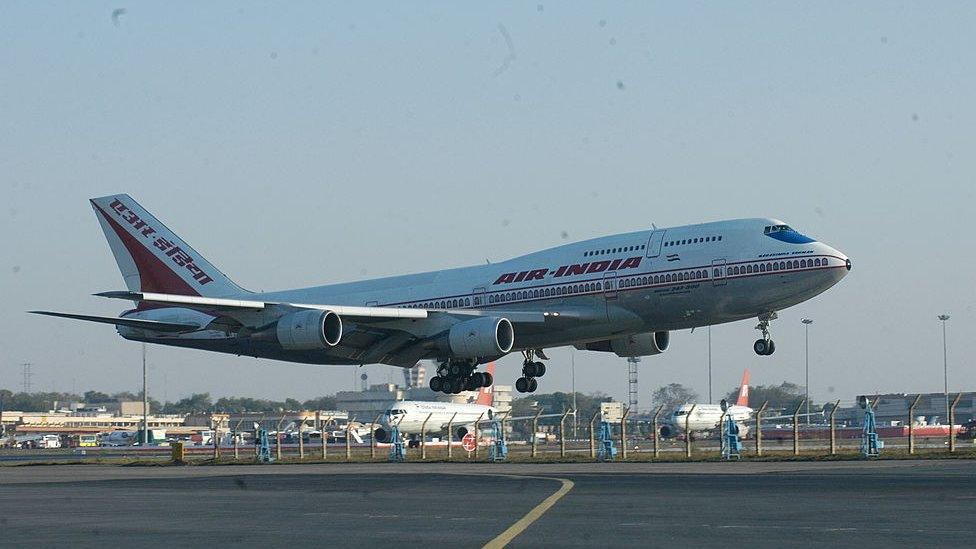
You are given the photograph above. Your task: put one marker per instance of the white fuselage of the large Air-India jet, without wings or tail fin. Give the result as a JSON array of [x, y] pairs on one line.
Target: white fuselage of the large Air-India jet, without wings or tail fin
[[605, 288]]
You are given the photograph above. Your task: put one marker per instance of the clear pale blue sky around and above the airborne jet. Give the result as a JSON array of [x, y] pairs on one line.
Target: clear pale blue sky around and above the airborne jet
[[308, 143]]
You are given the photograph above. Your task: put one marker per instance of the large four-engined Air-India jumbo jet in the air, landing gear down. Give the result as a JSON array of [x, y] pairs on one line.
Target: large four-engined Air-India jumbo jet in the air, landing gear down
[[621, 294]]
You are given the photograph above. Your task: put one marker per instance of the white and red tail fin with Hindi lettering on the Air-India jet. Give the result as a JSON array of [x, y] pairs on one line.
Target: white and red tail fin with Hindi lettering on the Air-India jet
[[151, 257]]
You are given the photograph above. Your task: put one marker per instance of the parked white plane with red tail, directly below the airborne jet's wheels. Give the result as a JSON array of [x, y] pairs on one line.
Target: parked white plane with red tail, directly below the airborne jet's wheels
[[409, 416]]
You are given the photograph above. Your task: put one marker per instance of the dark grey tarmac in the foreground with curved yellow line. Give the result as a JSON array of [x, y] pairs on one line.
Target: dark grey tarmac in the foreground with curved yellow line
[[756, 504]]
